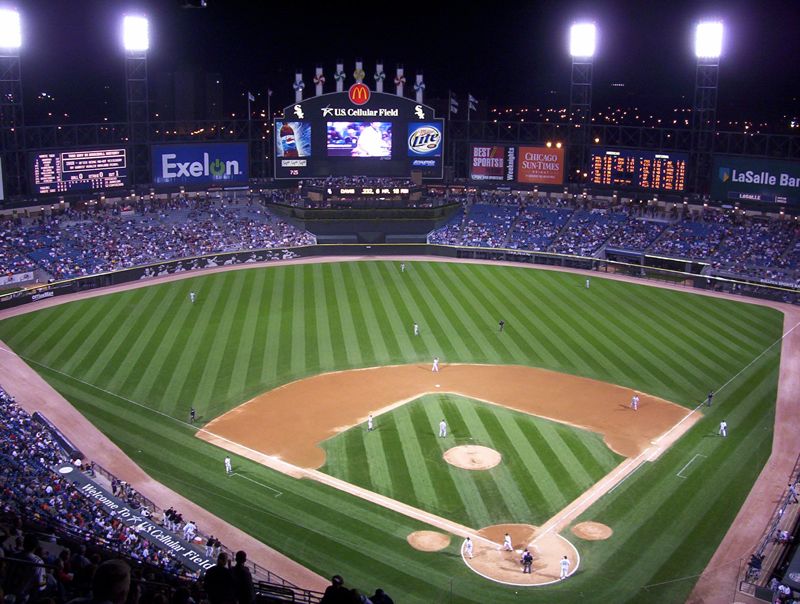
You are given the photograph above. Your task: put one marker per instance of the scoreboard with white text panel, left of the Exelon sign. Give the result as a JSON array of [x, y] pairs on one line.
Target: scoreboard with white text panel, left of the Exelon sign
[[77, 171]]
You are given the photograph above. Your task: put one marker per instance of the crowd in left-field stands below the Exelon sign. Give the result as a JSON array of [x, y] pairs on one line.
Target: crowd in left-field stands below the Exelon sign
[[84, 242]]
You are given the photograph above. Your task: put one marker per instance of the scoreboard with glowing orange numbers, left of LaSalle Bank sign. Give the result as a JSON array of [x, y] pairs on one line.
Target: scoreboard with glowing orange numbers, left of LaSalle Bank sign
[[639, 169]]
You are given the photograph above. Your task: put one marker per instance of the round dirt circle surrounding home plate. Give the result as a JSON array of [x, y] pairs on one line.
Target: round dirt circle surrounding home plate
[[491, 561]]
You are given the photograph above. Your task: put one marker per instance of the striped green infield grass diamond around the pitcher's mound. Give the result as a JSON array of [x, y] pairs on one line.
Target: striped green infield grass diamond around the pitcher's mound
[[545, 466]]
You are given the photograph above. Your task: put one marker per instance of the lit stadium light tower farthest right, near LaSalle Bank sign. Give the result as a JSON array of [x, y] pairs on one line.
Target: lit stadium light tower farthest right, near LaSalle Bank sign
[[707, 50]]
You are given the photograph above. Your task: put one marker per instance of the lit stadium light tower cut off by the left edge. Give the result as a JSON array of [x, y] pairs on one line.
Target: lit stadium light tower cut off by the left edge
[[12, 117]]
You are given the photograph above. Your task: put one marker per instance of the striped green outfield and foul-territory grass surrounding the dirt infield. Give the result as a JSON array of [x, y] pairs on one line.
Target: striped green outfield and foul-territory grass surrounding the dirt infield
[[134, 362]]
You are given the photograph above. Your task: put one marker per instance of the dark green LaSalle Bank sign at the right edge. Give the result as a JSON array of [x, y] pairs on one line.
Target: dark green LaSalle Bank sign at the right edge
[[752, 179]]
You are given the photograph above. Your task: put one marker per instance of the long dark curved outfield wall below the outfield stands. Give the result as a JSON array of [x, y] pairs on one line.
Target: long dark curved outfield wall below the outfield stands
[[690, 277]]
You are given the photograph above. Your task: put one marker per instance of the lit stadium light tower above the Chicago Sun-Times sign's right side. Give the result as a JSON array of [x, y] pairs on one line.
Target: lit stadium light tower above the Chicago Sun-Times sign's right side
[[582, 46]]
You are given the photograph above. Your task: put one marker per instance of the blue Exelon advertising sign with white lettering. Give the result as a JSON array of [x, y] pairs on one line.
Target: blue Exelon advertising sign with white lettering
[[200, 164]]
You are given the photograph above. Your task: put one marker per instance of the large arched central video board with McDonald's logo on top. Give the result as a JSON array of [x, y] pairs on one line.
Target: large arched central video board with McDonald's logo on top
[[358, 133]]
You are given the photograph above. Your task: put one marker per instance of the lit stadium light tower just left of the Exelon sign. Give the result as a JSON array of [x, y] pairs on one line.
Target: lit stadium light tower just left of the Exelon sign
[[136, 42]]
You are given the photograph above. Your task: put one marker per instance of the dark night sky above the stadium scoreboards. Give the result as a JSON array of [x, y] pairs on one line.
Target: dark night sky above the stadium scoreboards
[[514, 56]]
